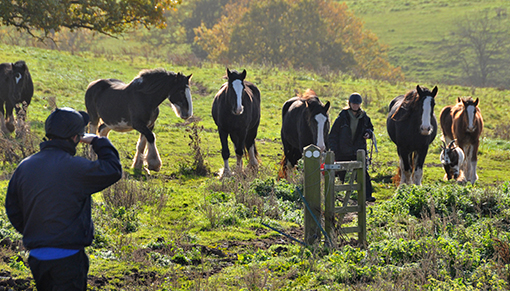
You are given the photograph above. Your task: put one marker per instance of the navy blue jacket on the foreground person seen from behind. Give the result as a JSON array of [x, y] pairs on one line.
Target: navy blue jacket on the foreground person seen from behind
[[49, 195]]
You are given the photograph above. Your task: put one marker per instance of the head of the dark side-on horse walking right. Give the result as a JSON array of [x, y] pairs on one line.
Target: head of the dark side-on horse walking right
[[180, 96]]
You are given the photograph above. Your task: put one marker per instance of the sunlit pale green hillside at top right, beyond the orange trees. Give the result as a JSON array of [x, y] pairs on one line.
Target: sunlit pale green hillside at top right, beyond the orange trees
[[415, 31]]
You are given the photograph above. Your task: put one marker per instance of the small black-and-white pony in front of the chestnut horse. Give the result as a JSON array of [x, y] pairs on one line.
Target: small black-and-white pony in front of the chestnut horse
[[452, 158]]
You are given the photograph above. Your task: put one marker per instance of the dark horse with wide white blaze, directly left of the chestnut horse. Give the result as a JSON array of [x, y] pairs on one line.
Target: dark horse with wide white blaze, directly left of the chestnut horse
[[412, 126]]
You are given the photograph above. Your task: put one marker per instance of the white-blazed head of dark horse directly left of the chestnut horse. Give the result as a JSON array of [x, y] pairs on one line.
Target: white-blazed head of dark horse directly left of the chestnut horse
[[424, 102]]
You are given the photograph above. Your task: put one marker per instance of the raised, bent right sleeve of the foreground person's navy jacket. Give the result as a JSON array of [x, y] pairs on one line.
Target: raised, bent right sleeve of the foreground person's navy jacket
[[106, 170]]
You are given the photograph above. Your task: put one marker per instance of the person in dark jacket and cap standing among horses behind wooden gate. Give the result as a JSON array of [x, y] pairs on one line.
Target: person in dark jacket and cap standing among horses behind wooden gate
[[349, 133]]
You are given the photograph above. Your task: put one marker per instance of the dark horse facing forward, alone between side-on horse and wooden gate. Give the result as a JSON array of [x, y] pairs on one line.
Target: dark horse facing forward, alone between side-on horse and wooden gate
[[236, 112]]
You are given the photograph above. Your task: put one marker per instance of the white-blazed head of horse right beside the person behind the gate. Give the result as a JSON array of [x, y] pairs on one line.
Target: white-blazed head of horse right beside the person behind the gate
[[318, 120]]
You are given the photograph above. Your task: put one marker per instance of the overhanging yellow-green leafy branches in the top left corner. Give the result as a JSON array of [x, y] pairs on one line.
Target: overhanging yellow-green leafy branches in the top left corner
[[104, 16]]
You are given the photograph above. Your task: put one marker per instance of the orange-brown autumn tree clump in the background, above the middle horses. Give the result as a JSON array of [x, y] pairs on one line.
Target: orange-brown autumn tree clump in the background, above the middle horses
[[310, 34]]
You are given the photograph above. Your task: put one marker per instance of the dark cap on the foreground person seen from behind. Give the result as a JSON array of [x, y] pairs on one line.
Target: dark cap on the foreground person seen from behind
[[65, 123]]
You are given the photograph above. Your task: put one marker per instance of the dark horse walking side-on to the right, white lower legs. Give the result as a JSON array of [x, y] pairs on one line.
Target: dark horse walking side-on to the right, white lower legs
[[124, 107]]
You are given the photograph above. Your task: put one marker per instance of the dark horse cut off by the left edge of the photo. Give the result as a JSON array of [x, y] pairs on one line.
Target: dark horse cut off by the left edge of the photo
[[17, 88]]
